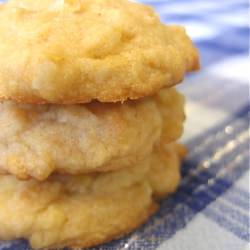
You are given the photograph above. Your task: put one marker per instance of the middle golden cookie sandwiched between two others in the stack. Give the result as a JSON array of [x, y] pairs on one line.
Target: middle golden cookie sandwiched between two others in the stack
[[37, 140]]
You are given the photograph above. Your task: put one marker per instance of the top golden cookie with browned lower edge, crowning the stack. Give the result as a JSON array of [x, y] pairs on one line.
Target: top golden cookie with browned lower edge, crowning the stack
[[75, 51]]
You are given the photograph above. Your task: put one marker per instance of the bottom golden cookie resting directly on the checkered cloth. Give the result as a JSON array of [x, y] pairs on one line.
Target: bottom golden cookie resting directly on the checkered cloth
[[86, 210]]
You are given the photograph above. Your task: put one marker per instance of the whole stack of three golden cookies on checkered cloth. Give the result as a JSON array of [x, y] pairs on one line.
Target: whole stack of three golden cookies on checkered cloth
[[89, 118]]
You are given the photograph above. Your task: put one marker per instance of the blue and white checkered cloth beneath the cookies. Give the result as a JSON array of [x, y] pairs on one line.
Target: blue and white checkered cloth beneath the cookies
[[210, 211]]
